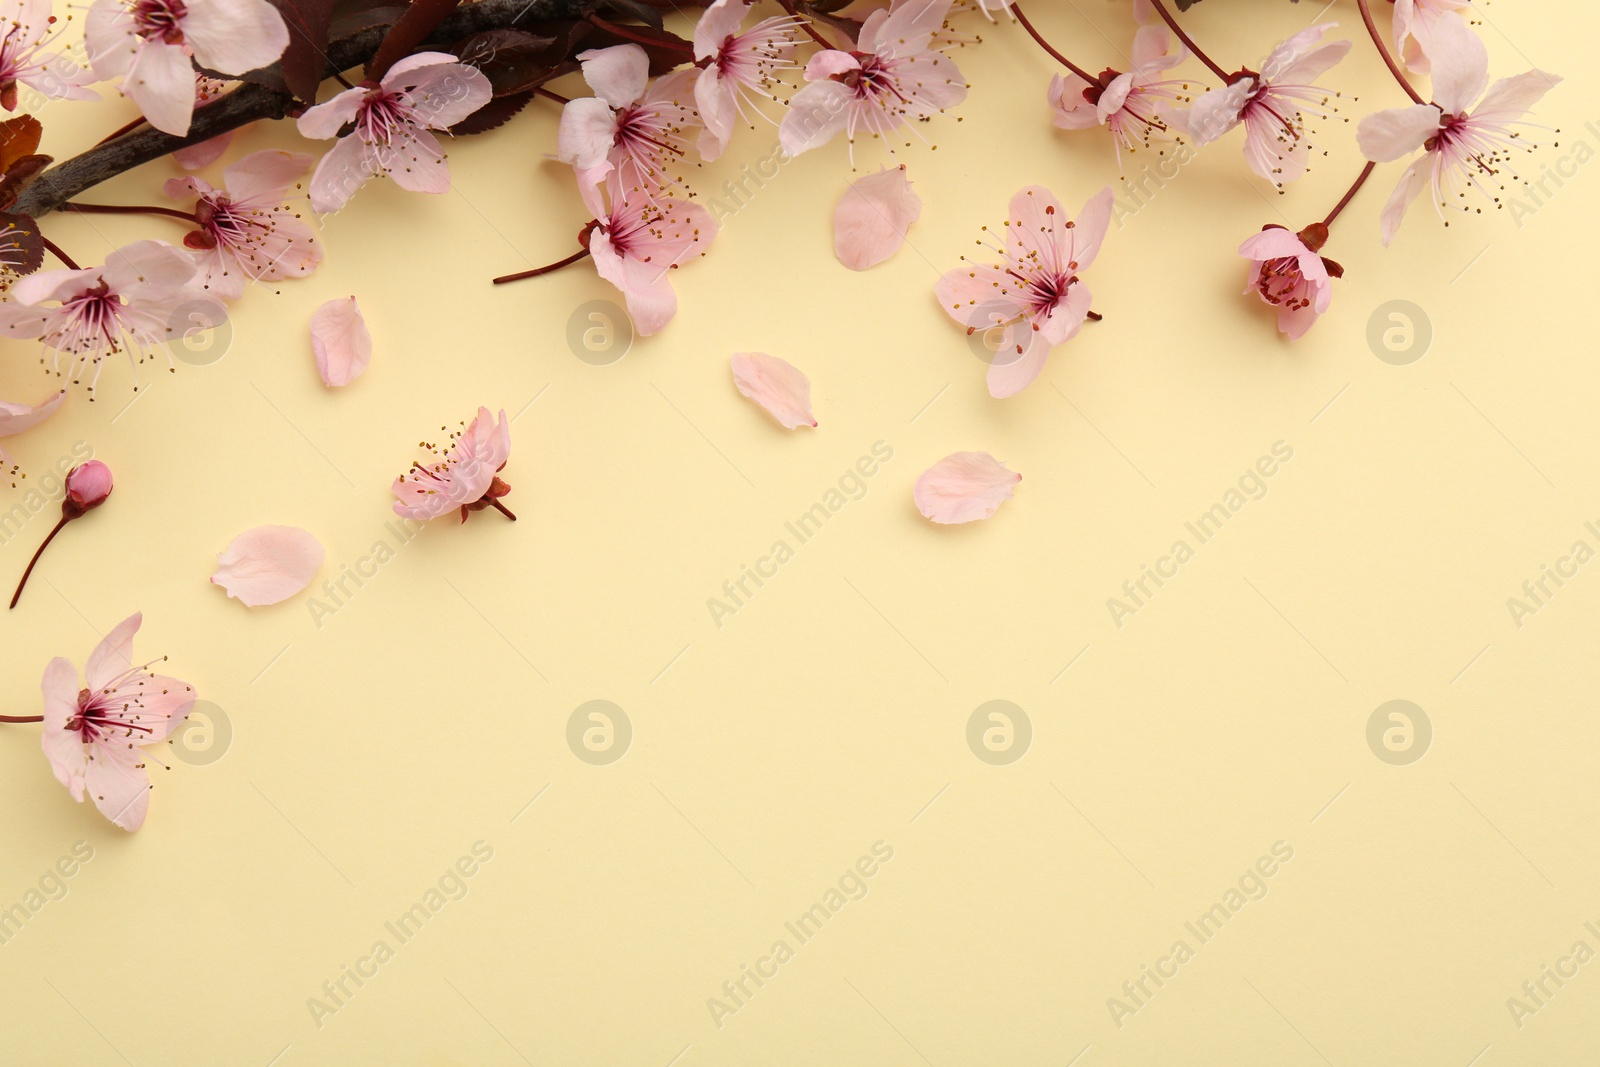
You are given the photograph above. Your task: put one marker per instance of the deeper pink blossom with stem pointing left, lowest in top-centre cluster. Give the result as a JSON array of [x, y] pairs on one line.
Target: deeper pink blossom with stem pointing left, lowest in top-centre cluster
[[639, 242]]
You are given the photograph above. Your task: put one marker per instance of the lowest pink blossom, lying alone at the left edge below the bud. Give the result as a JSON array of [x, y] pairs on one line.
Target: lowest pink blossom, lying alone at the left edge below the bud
[[95, 735]]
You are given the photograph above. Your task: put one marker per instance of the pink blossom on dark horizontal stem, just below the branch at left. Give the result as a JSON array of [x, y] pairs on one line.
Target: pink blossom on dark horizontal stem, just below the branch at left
[[247, 231]]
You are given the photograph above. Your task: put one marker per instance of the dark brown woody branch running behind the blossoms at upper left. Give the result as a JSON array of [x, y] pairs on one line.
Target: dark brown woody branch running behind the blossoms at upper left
[[252, 103]]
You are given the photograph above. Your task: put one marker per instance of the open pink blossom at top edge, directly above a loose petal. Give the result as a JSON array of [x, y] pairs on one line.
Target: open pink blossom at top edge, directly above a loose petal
[[890, 79]]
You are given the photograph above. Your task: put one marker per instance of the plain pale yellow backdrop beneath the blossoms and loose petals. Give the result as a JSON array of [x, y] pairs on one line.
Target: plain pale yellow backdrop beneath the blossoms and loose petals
[[428, 716]]
